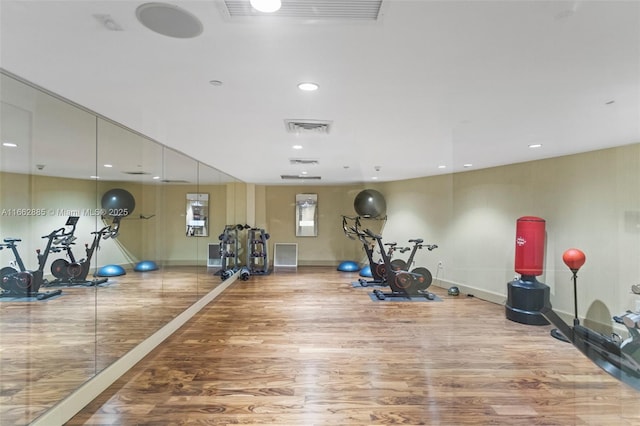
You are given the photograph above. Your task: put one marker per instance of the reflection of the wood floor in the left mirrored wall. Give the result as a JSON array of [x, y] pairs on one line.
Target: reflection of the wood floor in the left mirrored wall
[[49, 348]]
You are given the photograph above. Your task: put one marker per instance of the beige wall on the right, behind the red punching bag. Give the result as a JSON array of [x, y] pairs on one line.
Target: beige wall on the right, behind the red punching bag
[[589, 201]]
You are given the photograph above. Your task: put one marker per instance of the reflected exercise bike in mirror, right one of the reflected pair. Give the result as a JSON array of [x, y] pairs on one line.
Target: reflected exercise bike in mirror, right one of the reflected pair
[[74, 272]]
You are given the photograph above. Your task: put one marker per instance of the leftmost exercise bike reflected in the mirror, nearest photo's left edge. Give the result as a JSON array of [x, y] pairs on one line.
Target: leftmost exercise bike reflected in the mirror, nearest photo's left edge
[[21, 282]]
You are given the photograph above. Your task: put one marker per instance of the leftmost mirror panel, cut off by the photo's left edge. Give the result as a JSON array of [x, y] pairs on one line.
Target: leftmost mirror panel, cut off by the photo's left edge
[[44, 179]]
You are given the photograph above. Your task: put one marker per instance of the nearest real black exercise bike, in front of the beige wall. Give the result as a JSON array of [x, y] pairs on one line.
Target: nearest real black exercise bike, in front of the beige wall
[[403, 283]]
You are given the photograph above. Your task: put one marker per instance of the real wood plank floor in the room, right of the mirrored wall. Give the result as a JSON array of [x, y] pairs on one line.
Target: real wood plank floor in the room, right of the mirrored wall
[[306, 348]]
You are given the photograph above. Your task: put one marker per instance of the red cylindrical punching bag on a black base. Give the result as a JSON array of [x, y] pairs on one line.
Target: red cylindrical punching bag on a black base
[[530, 232]]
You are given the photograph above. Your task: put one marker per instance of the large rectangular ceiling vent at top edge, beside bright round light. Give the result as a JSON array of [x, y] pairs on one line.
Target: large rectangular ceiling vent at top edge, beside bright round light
[[360, 10]]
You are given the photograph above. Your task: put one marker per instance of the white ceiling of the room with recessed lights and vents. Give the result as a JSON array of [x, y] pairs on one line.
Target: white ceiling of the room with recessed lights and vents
[[428, 83]]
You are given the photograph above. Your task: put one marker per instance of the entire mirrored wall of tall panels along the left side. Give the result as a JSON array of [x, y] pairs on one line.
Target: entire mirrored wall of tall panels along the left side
[[79, 293]]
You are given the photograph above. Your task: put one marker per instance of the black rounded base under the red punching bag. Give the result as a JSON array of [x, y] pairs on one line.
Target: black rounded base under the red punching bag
[[525, 298]]
